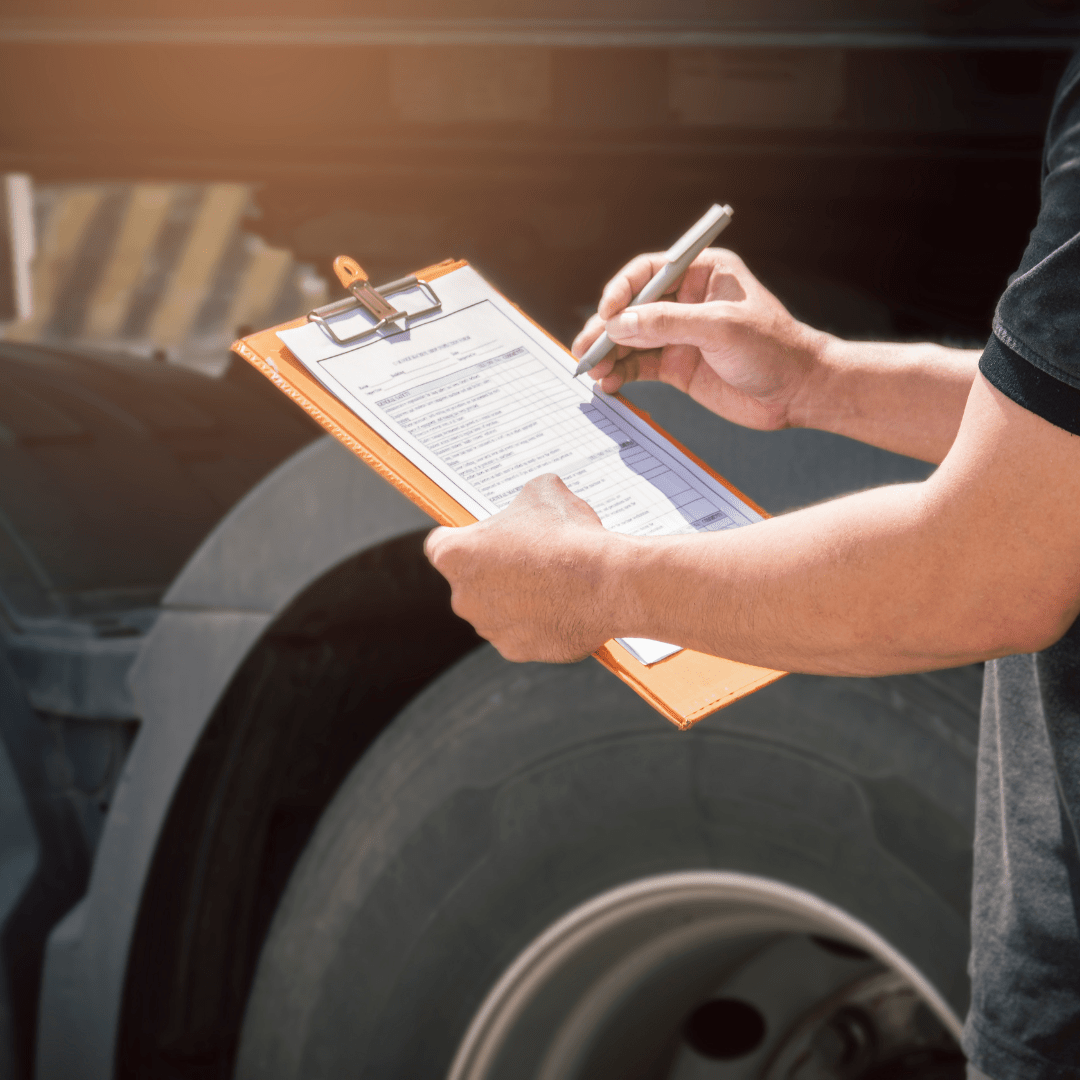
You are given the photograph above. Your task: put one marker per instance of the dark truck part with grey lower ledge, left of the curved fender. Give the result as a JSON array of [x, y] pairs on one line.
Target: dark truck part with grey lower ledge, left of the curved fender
[[113, 471]]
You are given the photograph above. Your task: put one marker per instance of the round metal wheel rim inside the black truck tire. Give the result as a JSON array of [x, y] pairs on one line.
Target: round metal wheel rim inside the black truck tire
[[610, 990]]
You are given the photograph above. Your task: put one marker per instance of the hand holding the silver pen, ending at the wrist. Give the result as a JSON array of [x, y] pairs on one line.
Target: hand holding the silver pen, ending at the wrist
[[724, 340]]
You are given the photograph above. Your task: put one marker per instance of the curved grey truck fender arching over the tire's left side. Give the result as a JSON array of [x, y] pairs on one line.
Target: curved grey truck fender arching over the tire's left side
[[315, 511]]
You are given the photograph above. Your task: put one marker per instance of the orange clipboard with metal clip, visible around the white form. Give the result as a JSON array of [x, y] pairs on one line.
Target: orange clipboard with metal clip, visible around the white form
[[684, 687]]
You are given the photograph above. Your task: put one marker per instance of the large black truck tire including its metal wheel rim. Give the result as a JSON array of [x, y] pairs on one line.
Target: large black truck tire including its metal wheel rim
[[532, 874]]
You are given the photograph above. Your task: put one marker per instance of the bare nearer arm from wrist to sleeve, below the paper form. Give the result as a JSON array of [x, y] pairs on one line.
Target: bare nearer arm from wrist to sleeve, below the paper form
[[980, 561]]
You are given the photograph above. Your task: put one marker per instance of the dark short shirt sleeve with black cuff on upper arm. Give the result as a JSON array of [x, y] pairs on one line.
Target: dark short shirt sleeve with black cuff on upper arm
[[1034, 355]]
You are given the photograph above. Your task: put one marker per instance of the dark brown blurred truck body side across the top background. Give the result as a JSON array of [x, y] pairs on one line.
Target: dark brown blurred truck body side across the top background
[[856, 142]]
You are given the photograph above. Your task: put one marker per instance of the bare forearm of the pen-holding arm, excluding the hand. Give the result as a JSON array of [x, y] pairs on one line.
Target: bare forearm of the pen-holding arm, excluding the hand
[[909, 399]]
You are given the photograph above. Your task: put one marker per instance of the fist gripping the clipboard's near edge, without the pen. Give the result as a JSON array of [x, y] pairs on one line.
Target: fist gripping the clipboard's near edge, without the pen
[[532, 579]]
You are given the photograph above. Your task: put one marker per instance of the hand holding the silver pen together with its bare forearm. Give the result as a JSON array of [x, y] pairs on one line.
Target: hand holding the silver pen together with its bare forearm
[[728, 343]]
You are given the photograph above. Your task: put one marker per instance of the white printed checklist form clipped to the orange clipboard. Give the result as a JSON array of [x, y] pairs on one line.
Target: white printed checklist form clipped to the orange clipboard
[[482, 401]]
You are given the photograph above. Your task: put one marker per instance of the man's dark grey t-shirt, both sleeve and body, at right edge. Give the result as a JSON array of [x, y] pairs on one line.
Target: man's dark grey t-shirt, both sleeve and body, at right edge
[[1025, 962]]
